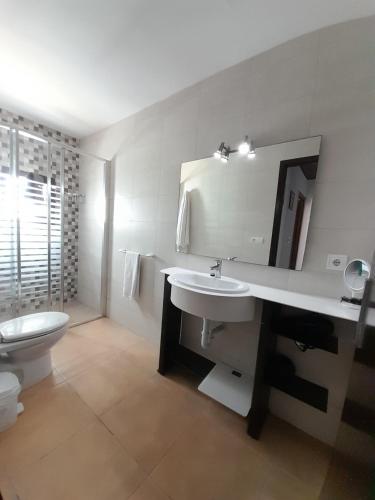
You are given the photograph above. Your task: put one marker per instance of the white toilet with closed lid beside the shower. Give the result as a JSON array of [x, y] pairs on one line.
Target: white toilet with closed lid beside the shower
[[25, 344]]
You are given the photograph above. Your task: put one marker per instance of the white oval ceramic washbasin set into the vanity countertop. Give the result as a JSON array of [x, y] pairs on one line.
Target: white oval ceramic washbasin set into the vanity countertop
[[219, 299]]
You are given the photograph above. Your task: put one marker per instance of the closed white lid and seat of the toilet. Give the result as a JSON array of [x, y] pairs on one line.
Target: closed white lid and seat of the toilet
[[32, 325]]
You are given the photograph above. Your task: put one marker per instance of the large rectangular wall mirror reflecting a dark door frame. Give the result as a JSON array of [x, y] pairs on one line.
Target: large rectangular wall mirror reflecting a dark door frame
[[256, 210]]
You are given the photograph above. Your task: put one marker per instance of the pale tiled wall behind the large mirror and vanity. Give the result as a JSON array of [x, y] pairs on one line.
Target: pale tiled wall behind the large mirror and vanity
[[322, 83]]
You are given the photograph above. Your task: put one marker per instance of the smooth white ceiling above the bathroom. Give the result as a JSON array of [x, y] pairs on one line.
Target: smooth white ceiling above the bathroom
[[81, 65]]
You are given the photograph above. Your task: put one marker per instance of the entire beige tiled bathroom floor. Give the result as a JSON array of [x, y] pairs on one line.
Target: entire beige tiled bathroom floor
[[106, 426]]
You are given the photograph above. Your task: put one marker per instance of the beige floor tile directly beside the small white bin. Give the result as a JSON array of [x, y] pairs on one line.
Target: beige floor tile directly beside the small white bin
[[51, 416]]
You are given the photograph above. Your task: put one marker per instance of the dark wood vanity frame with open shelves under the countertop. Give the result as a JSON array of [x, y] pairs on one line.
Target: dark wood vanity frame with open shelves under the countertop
[[275, 320]]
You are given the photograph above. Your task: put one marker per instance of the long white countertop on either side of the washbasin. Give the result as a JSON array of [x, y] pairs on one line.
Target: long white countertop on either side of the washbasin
[[315, 303]]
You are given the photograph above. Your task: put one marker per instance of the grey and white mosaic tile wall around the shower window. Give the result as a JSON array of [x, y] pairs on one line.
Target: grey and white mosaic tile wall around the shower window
[[33, 165]]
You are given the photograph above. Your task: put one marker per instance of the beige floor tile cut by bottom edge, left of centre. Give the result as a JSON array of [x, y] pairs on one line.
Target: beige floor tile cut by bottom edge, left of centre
[[90, 465]]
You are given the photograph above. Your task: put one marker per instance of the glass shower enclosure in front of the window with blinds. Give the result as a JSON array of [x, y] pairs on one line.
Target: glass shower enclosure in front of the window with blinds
[[53, 227]]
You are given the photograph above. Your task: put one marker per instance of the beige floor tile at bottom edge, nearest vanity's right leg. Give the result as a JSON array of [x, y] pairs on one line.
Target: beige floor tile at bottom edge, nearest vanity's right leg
[[210, 463]]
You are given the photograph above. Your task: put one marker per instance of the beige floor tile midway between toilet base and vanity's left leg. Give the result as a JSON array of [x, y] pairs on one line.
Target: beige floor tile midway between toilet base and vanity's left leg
[[108, 381]]
